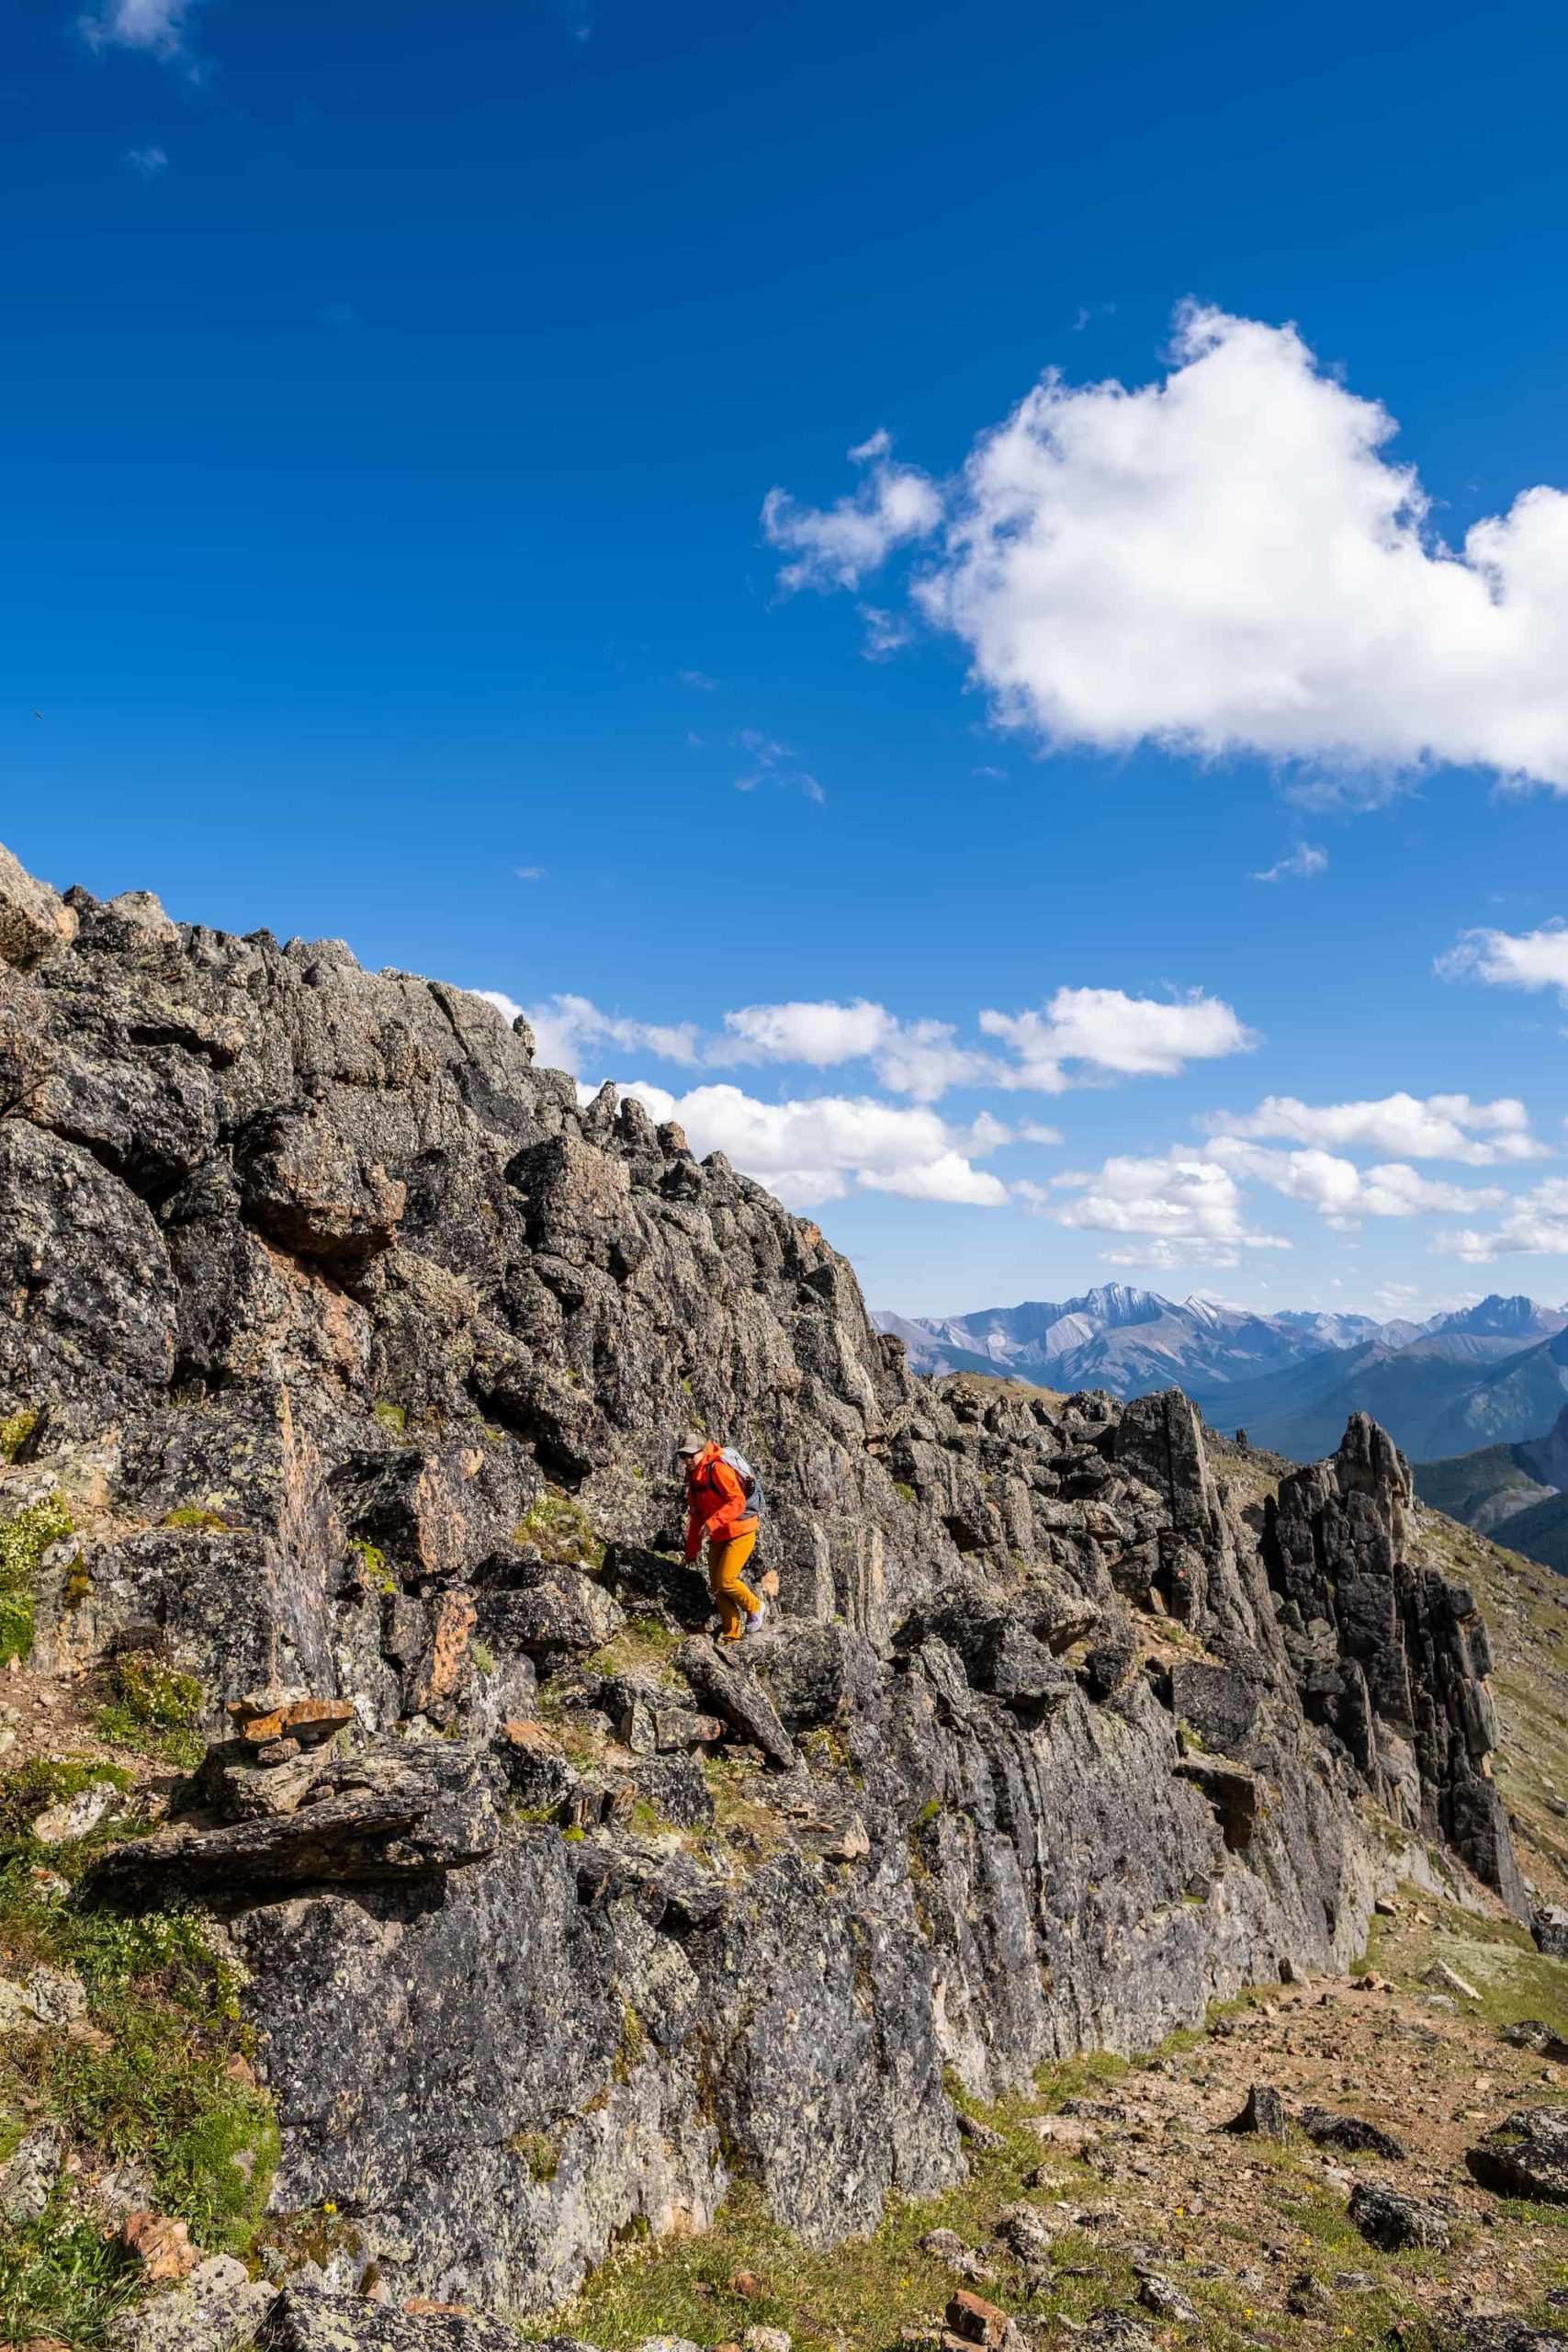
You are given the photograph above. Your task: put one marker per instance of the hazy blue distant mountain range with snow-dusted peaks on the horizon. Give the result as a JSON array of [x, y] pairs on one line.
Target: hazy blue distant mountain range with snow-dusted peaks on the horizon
[[1475, 1377]]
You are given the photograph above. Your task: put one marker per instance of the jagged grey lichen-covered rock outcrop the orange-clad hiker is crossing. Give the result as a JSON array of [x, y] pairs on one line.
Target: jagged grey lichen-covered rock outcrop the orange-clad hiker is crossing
[[342, 1361]]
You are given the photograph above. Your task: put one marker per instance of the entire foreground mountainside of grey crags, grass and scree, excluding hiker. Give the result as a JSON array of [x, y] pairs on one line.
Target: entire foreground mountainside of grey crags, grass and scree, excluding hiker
[[415, 1927]]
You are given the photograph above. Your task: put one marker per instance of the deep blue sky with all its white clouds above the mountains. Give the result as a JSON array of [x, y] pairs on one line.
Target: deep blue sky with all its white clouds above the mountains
[[394, 399]]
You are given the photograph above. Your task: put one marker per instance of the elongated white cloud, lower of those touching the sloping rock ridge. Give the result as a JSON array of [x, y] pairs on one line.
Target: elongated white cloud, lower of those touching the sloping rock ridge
[[833, 1147]]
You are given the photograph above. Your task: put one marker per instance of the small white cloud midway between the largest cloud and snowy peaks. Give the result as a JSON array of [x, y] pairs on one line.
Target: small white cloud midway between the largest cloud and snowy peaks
[[1106, 1031]]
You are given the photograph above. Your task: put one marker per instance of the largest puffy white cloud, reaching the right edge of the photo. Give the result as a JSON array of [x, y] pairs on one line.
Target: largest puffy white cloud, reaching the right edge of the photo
[[1228, 561]]
